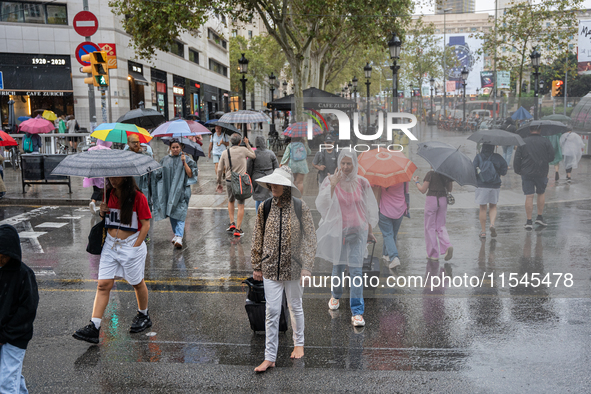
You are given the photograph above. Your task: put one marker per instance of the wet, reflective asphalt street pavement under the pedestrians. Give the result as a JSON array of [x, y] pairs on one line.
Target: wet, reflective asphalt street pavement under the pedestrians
[[497, 334]]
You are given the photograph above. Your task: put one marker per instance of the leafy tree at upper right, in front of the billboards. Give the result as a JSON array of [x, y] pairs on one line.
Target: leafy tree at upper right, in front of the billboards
[[546, 25]]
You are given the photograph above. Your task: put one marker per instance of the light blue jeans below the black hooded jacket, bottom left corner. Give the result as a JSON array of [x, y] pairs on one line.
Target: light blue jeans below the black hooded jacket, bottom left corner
[[11, 366]]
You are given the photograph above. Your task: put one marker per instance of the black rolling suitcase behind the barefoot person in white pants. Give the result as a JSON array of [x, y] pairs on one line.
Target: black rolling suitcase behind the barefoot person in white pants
[[255, 307]]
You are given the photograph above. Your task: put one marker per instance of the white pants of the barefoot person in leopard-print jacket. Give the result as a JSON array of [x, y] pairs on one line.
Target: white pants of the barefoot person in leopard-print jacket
[[273, 296]]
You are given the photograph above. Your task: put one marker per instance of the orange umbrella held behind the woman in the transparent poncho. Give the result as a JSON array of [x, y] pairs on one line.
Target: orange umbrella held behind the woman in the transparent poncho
[[385, 168]]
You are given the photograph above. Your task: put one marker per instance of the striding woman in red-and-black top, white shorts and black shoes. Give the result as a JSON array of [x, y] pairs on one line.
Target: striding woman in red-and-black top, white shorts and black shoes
[[127, 221]]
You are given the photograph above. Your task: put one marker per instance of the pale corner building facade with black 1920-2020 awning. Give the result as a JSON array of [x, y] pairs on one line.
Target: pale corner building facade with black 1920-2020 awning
[[40, 69]]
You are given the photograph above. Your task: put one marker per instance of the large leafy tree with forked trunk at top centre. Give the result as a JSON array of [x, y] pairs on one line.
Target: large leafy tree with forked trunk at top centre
[[309, 32]]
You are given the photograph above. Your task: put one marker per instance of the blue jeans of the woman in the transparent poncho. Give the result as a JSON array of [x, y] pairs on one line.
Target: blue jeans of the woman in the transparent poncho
[[352, 252]]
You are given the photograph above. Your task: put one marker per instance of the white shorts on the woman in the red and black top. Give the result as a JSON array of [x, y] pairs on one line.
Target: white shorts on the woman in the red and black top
[[120, 258]]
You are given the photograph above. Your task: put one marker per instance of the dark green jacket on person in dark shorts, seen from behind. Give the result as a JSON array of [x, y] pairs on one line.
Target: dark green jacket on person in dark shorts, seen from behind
[[533, 158]]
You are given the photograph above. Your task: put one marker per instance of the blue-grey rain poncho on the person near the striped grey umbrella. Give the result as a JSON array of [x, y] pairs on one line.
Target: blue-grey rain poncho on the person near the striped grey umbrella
[[171, 188]]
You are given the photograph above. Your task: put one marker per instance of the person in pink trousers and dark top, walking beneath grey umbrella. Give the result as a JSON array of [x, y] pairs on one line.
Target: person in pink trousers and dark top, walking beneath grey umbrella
[[436, 237]]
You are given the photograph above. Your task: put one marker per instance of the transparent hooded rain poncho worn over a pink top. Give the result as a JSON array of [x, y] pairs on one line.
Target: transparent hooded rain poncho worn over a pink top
[[346, 215]]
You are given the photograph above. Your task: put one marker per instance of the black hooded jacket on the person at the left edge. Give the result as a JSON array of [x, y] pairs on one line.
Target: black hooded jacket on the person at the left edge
[[19, 296]]
